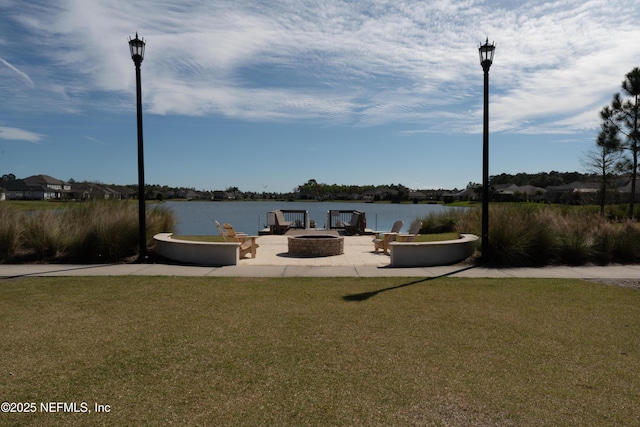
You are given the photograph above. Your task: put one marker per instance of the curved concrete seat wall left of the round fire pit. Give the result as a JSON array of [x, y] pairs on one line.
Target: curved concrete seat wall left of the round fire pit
[[201, 253]]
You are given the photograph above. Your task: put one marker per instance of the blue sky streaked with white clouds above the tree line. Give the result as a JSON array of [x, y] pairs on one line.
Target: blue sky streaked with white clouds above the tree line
[[265, 95]]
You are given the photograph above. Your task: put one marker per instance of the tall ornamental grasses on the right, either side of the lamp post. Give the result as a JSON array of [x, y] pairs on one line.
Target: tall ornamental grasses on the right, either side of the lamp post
[[536, 235]]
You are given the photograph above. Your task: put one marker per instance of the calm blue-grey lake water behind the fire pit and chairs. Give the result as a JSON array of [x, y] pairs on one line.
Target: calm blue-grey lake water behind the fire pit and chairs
[[197, 218]]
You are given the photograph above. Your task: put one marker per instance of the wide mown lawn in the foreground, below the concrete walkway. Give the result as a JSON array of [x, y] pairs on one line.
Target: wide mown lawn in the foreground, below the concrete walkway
[[321, 351]]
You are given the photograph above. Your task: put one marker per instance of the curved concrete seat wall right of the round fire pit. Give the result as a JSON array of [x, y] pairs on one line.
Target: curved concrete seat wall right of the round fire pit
[[427, 254]]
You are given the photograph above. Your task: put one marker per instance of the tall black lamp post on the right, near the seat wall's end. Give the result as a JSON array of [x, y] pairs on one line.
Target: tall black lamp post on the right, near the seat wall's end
[[486, 59]]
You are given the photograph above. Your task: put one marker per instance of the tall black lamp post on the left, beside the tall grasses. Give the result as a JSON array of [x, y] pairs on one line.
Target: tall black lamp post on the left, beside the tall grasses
[[137, 54]]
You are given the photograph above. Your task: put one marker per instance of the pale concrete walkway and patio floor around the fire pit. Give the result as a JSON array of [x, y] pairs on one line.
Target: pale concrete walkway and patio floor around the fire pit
[[358, 260]]
